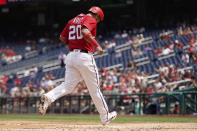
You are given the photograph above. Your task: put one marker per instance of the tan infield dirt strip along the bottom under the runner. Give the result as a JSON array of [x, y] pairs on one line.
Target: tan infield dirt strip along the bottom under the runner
[[93, 126]]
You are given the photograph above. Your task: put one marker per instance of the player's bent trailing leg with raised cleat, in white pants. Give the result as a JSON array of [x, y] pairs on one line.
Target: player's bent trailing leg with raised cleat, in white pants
[[72, 78]]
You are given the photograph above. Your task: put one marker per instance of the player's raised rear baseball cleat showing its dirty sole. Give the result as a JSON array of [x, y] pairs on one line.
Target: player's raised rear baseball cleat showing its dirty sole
[[44, 105]]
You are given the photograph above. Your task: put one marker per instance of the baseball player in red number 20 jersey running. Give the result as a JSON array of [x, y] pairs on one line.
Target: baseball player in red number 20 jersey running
[[80, 34]]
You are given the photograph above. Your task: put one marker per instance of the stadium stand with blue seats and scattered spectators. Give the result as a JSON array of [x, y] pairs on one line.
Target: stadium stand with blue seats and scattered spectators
[[156, 61]]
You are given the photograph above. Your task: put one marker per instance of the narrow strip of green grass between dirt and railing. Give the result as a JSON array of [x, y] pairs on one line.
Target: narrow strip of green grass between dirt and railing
[[95, 118]]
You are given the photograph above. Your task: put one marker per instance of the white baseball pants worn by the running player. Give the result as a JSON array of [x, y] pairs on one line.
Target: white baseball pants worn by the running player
[[81, 66]]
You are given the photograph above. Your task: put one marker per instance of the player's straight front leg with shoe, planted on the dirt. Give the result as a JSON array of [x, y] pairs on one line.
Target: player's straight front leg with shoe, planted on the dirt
[[89, 73]]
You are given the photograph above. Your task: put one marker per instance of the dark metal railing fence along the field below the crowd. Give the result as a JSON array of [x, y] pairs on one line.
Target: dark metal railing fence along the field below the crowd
[[136, 103]]
